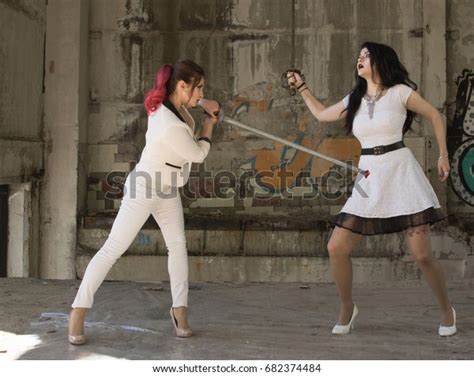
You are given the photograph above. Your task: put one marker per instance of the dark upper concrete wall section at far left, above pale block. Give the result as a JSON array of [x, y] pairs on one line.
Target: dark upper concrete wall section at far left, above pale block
[[22, 23]]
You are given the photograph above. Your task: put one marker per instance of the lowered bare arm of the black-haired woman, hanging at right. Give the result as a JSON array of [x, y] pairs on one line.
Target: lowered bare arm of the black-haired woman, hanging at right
[[417, 104]]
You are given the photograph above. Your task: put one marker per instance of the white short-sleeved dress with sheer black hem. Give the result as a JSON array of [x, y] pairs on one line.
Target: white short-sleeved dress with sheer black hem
[[396, 195]]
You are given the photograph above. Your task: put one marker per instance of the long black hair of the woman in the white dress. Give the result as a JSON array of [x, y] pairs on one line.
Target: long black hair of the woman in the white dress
[[391, 72]]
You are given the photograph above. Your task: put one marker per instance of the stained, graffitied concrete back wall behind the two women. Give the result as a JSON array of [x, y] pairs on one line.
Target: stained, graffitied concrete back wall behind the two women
[[244, 46]]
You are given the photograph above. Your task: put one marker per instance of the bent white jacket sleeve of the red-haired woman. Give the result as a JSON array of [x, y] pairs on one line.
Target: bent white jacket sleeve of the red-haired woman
[[183, 144]]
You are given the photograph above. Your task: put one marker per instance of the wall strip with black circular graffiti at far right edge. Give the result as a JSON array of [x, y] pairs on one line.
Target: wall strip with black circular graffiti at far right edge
[[460, 109]]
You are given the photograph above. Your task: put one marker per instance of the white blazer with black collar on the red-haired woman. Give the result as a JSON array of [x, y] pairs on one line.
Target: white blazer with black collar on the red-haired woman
[[170, 148]]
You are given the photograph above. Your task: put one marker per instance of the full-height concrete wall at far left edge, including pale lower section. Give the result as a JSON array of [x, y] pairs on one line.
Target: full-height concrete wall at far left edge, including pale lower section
[[22, 35]]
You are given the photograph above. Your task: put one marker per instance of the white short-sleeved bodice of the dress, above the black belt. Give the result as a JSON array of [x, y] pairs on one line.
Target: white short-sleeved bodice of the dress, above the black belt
[[386, 126]]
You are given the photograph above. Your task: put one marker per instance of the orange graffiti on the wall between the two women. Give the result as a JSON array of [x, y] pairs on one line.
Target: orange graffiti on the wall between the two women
[[298, 168]]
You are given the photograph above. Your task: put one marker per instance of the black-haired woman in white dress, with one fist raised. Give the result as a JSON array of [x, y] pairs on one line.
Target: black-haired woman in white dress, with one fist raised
[[396, 196]]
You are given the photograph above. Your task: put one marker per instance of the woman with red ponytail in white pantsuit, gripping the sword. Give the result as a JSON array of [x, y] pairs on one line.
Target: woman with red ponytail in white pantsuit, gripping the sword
[[152, 188]]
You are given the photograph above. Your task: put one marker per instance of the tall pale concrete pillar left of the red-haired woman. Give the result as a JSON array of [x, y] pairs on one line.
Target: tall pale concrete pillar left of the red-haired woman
[[65, 109]]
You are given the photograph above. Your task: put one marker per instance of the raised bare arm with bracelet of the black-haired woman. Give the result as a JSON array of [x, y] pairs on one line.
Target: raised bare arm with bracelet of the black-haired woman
[[320, 112]]
